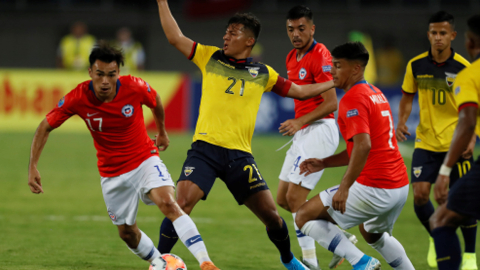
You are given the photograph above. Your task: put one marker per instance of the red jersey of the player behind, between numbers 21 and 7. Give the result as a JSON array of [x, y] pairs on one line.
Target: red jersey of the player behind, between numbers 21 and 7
[[314, 67]]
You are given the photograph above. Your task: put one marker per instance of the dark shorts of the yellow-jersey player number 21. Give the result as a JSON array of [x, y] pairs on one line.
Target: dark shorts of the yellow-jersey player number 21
[[205, 162]]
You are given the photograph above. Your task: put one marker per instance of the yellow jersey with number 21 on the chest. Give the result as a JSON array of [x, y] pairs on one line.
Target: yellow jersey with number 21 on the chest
[[231, 94]]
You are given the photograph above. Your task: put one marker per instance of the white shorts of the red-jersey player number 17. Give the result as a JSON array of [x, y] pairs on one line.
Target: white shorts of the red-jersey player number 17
[[121, 193]]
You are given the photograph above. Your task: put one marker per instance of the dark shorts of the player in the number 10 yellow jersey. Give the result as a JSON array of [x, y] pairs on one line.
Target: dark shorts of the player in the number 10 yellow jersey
[[426, 165]]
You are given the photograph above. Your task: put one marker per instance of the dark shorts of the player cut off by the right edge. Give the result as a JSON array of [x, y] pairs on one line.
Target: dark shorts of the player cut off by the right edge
[[464, 196]]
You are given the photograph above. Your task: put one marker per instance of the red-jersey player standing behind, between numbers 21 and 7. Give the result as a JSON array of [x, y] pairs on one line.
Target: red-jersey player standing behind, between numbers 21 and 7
[[314, 129]]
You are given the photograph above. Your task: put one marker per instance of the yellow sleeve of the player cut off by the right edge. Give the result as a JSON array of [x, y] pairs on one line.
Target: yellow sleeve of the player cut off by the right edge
[[465, 90]]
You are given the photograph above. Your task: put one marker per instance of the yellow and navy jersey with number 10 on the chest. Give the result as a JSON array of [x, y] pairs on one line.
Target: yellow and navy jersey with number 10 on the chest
[[438, 111]]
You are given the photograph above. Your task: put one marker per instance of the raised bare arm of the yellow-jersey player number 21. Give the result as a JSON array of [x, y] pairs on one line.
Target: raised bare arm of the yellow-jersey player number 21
[[172, 31]]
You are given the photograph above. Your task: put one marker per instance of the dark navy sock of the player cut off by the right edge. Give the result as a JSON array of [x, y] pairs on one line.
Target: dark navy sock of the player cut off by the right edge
[[447, 246]]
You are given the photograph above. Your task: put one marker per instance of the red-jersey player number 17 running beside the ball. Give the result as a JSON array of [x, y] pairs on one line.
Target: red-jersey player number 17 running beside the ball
[[128, 161]]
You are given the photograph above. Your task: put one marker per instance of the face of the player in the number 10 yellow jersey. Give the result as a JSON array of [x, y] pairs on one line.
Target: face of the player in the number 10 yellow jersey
[[441, 35]]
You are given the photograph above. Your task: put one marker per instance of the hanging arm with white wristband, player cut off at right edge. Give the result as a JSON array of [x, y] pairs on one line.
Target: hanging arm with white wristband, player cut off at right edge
[[467, 120]]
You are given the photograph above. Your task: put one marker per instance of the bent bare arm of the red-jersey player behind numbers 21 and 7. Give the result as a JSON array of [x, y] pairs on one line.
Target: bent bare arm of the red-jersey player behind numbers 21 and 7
[[329, 105]]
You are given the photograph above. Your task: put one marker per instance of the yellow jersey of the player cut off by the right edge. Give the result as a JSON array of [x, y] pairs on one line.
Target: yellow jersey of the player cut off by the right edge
[[467, 89]]
